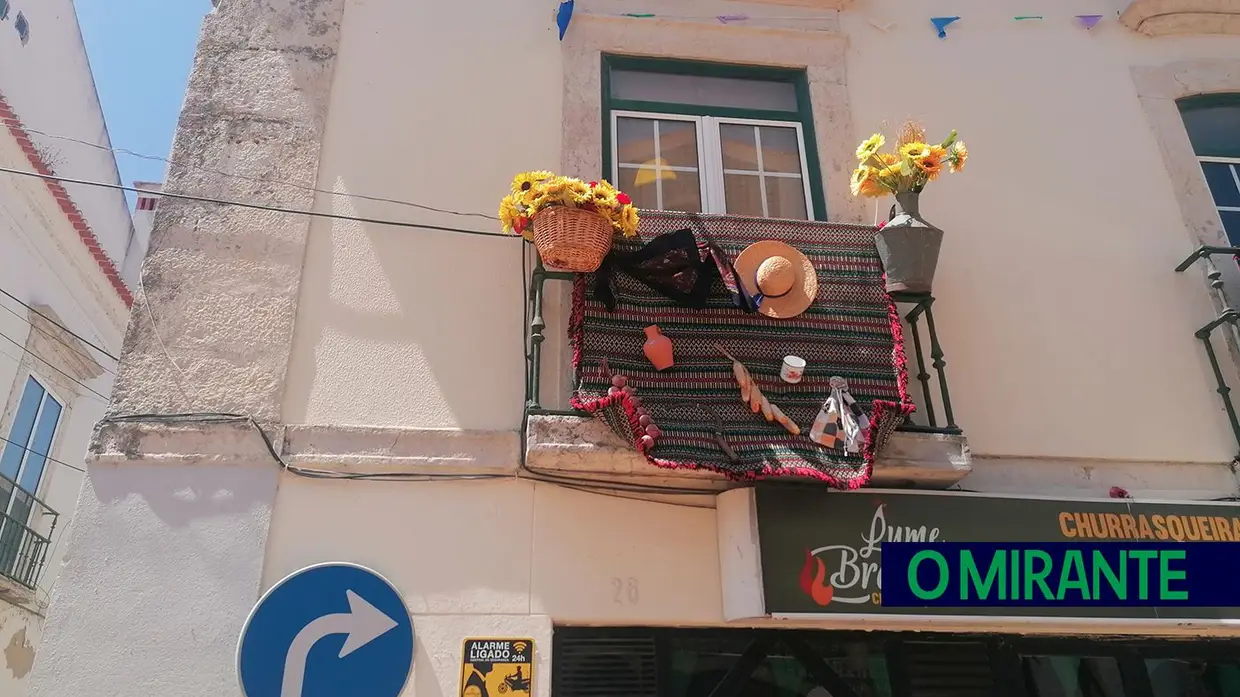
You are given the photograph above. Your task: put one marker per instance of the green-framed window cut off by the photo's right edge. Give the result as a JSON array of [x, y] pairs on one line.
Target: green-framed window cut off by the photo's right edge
[[1213, 125]]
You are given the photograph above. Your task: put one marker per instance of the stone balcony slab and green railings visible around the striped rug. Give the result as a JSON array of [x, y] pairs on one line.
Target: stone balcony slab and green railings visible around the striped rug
[[929, 451]]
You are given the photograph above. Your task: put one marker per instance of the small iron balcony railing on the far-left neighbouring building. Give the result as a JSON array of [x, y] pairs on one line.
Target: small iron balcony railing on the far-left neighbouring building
[[27, 526]]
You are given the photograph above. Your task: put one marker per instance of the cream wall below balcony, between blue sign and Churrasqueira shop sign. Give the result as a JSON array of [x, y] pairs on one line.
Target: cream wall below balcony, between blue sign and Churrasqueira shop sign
[[504, 548]]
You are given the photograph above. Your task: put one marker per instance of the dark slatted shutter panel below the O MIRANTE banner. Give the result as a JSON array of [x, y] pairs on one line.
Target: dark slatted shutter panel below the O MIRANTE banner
[[949, 670]]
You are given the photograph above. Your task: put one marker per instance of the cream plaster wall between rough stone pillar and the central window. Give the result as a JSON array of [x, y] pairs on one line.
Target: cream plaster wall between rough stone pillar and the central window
[[401, 327]]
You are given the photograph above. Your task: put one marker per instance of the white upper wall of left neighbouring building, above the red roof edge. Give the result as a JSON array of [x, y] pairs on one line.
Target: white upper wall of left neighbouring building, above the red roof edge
[[50, 86]]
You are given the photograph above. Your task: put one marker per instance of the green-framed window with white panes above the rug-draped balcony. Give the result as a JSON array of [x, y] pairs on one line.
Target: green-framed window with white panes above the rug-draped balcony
[[711, 138]]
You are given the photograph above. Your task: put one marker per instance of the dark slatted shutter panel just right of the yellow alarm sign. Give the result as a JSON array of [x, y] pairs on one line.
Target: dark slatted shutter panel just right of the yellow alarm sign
[[604, 667]]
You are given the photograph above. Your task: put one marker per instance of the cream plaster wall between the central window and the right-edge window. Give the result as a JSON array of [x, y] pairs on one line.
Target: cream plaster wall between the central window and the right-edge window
[[1065, 327]]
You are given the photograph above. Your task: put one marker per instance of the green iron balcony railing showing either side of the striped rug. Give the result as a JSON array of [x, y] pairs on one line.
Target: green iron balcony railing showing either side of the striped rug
[[927, 363]]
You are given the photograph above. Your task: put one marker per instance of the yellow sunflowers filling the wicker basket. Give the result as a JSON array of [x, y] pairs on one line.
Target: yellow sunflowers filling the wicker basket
[[534, 193]]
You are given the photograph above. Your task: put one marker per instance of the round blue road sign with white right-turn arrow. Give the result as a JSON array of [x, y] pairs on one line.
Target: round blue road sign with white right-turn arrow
[[327, 631]]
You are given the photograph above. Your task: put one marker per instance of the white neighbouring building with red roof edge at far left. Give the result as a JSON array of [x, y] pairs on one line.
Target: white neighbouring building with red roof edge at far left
[[65, 302]]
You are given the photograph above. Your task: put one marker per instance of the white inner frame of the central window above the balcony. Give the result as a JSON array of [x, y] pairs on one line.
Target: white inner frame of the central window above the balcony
[[711, 171]]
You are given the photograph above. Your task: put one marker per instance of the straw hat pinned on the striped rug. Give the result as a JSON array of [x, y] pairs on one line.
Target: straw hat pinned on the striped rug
[[784, 278]]
